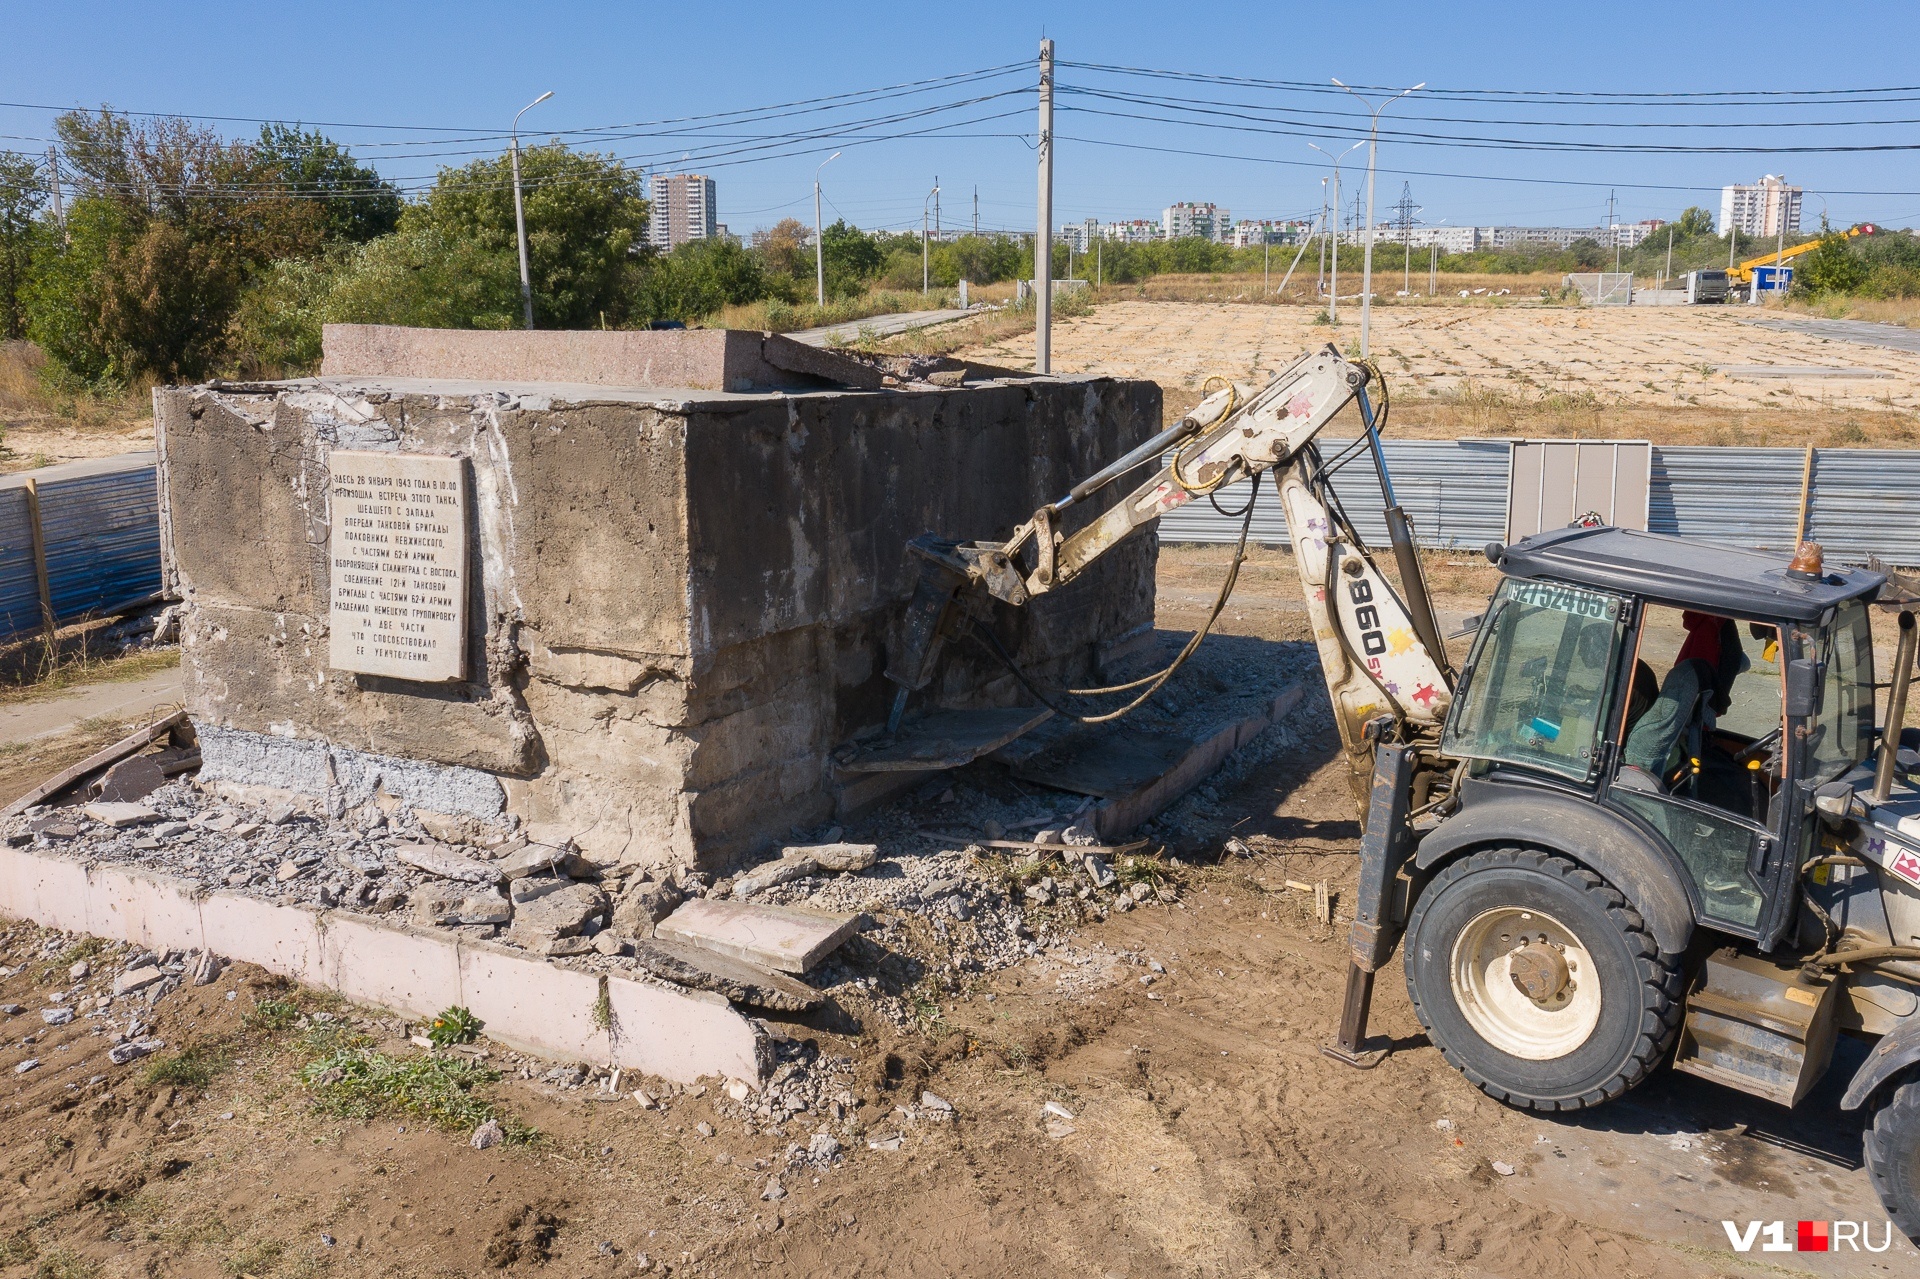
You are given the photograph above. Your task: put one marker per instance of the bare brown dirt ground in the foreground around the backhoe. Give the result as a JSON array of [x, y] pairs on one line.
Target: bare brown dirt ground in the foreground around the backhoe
[[1211, 1136]]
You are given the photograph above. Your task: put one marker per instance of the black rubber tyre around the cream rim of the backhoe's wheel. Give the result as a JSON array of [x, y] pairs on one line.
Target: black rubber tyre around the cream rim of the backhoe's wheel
[[1641, 990]]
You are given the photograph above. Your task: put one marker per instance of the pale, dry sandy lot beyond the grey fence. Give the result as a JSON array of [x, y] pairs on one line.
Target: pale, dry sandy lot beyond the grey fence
[[1476, 370]]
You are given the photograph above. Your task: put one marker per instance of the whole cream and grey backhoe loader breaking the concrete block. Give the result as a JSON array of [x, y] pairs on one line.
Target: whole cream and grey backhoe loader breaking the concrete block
[[1652, 823]]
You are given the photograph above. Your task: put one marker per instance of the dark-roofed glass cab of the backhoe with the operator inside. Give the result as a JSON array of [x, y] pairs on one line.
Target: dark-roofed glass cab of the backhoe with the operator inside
[[1694, 692]]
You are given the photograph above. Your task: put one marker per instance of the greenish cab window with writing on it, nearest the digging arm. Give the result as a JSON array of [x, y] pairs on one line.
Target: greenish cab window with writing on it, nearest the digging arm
[[1541, 673]]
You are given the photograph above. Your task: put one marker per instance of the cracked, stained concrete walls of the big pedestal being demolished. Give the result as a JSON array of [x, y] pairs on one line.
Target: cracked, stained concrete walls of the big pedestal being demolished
[[679, 602]]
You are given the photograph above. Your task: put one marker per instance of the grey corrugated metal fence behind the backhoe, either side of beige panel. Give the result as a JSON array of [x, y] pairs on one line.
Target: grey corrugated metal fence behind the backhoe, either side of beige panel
[[1861, 502]]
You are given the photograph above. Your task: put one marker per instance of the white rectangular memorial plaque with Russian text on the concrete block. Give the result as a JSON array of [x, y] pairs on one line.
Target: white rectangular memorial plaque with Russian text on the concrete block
[[398, 562]]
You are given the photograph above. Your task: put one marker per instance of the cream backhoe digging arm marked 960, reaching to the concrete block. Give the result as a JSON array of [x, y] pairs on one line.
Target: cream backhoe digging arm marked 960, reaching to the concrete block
[[1380, 650]]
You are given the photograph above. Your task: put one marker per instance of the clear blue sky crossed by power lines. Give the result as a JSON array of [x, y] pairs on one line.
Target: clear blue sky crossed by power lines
[[471, 66]]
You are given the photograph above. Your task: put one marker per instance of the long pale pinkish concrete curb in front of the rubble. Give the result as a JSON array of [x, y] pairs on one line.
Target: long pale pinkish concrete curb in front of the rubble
[[525, 1001]]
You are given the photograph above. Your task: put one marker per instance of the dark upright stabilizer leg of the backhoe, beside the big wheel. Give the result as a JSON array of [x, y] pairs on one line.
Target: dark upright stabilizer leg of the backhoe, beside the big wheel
[[1385, 848]]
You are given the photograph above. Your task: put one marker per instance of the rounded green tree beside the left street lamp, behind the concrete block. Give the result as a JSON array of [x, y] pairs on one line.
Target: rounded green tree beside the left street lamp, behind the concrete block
[[585, 228]]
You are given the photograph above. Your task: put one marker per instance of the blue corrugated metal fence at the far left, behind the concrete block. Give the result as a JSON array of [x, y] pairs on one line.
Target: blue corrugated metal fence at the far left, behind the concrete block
[[101, 535]]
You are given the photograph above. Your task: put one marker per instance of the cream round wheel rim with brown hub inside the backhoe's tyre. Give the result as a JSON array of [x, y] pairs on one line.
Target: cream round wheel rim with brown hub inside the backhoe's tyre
[[1500, 952]]
